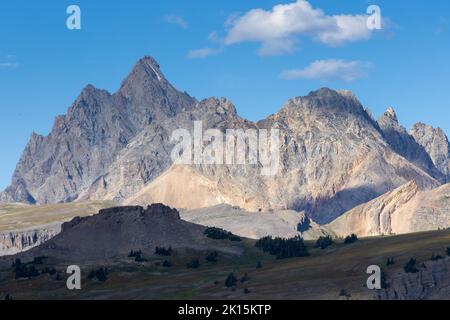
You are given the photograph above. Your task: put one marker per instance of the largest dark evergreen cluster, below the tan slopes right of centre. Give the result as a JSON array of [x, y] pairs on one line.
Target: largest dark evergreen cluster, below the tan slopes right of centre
[[283, 248]]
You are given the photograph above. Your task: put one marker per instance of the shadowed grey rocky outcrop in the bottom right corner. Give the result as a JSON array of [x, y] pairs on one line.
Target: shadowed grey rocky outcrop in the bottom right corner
[[431, 282]]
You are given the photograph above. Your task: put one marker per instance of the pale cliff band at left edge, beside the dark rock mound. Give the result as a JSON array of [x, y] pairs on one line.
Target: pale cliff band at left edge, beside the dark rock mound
[[12, 242]]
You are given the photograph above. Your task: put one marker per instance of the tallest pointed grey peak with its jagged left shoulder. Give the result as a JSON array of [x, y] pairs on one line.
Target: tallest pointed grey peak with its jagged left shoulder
[[85, 141]]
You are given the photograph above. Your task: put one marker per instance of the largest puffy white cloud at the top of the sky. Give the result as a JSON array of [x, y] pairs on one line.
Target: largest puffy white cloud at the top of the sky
[[277, 29]]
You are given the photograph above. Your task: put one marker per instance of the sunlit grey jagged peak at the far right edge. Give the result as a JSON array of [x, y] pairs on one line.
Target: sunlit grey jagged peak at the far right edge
[[436, 144]]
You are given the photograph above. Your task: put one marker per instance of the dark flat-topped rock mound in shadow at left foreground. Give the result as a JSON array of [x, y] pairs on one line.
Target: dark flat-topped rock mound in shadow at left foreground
[[115, 232]]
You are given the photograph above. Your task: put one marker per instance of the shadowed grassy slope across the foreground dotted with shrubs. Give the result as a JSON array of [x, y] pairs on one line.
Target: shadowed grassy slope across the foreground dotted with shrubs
[[320, 276]]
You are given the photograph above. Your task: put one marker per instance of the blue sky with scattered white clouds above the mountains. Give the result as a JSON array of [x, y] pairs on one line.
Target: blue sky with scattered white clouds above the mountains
[[221, 48]]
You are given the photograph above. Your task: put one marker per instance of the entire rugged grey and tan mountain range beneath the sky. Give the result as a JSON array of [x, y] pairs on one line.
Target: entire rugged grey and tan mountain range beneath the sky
[[333, 156]]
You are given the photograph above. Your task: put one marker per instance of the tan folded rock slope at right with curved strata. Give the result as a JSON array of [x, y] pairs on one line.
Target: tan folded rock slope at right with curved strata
[[406, 209]]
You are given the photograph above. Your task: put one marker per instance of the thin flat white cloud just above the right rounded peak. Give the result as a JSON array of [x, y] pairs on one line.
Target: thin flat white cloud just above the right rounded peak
[[329, 70]]
